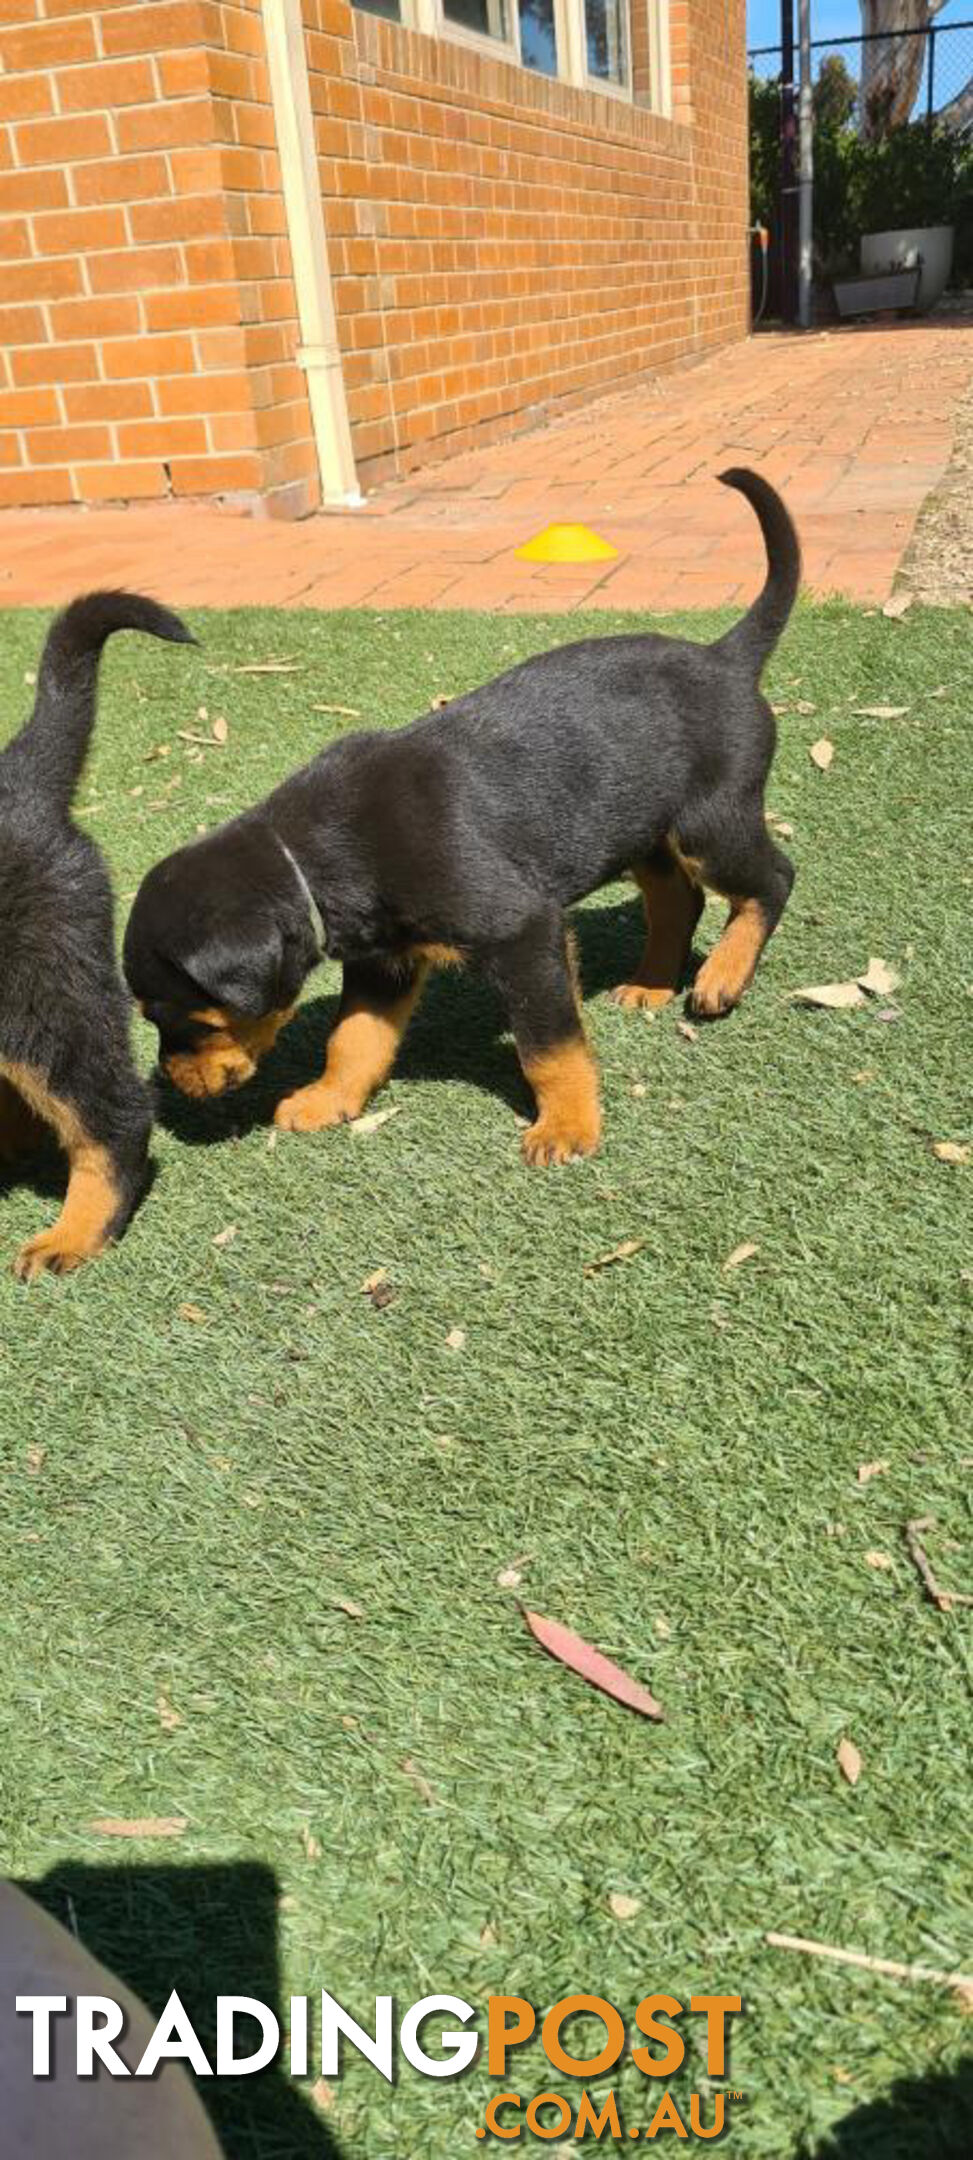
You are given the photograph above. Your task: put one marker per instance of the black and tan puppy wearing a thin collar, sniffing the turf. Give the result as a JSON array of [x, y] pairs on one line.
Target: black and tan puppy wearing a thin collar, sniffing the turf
[[464, 839]]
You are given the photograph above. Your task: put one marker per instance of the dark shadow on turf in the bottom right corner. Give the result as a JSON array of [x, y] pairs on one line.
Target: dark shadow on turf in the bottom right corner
[[918, 2120]]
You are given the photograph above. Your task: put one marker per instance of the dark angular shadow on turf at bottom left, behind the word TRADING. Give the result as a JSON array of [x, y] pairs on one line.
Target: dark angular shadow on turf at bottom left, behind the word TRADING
[[206, 1932]]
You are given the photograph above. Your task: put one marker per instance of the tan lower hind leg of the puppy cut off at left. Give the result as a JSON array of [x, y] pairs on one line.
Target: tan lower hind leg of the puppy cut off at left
[[92, 1198]]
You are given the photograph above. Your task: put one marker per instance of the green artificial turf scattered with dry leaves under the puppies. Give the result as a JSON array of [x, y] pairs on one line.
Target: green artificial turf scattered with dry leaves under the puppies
[[671, 1446]]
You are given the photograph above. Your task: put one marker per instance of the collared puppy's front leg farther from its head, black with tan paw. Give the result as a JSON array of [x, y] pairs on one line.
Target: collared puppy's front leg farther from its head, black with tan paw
[[537, 980]]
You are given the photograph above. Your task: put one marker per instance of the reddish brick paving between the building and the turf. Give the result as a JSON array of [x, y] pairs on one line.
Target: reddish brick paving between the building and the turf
[[855, 427]]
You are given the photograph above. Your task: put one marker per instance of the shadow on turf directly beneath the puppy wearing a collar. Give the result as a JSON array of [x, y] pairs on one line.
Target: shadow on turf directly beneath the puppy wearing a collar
[[459, 1034]]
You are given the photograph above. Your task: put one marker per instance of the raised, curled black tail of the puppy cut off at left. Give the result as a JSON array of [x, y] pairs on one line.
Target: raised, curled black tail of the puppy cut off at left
[[57, 733]]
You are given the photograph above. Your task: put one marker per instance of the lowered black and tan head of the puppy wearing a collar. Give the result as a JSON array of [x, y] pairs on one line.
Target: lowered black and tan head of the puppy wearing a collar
[[217, 947]]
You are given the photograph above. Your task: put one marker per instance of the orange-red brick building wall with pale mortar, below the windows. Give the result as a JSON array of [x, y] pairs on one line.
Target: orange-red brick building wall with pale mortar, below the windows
[[501, 243]]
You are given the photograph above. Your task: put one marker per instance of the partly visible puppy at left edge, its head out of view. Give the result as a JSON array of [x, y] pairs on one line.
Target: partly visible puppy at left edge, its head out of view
[[66, 1062]]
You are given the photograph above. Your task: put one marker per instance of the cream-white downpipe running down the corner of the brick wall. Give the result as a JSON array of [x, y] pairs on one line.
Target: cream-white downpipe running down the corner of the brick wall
[[319, 355]]
